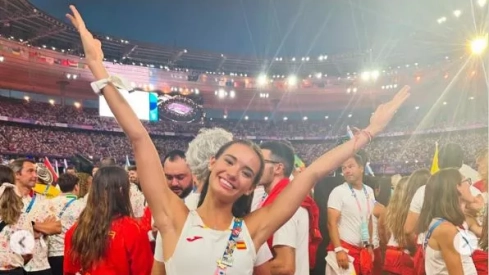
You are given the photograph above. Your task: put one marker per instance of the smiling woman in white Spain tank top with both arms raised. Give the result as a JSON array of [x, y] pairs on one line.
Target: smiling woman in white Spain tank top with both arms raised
[[220, 237]]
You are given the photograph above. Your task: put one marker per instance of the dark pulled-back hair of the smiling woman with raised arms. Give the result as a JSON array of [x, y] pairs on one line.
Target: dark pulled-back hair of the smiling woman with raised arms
[[242, 206]]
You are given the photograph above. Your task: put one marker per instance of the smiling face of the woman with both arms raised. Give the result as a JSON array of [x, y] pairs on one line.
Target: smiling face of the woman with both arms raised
[[234, 173]]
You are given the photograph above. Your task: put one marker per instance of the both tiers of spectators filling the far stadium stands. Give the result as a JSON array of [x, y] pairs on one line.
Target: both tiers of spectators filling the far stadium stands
[[398, 150]]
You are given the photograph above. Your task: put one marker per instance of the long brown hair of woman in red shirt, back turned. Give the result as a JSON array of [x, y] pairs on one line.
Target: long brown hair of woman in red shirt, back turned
[[108, 199]]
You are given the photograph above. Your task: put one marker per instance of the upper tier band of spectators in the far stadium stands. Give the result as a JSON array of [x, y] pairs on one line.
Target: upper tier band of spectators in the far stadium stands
[[408, 121]]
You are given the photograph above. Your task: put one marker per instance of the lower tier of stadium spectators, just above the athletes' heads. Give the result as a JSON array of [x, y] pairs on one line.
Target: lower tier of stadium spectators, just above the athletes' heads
[[395, 154]]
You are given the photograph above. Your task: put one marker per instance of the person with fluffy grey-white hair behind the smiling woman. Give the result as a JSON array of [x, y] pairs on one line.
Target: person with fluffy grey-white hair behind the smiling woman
[[199, 152]]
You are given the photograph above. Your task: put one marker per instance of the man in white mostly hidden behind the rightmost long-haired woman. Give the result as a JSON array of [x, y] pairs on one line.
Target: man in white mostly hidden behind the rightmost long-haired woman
[[450, 156]]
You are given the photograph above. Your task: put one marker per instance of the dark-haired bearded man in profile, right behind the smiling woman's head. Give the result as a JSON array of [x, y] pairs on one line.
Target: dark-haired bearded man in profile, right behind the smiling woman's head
[[290, 243]]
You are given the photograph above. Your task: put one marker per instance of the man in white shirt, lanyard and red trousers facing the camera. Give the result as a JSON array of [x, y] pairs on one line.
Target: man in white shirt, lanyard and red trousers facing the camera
[[350, 208]]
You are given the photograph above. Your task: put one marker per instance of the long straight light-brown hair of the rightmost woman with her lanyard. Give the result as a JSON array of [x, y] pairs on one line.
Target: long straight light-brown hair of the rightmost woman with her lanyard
[[441, 199]]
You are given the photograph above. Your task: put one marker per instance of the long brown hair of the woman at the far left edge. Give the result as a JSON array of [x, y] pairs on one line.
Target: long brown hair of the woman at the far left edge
[[10, 203]]
